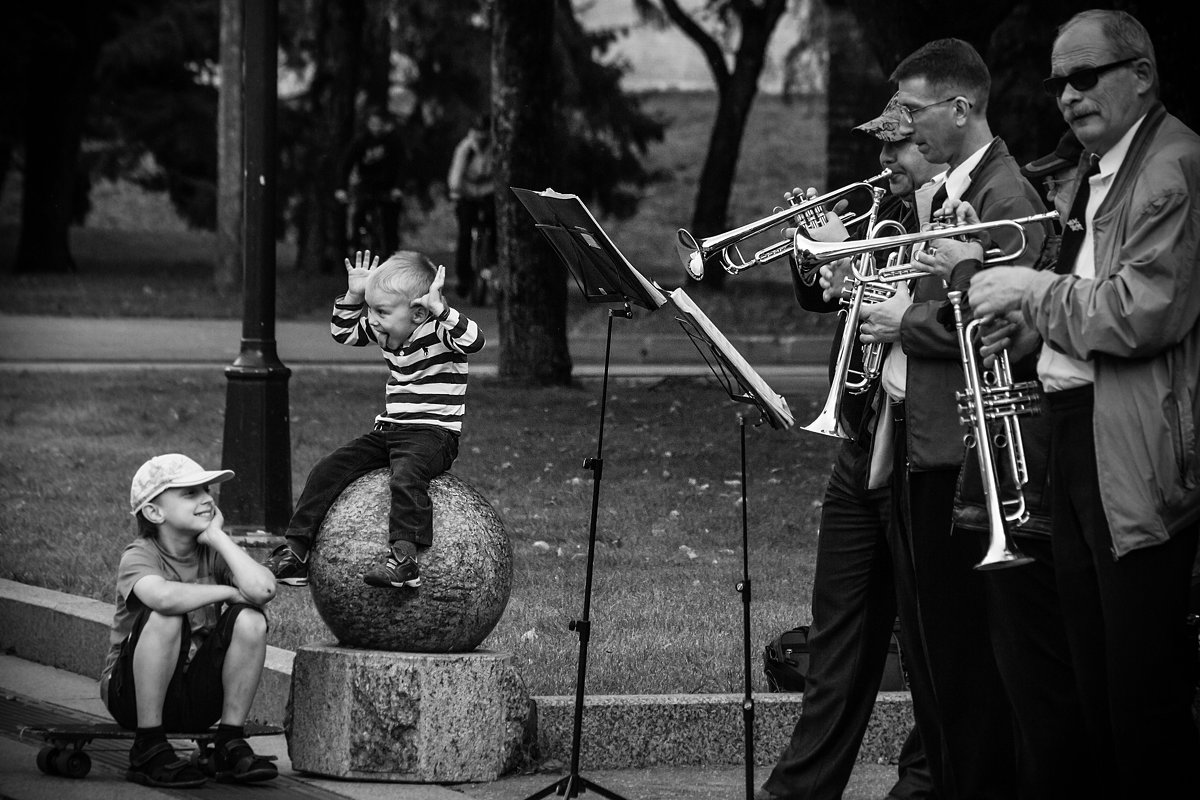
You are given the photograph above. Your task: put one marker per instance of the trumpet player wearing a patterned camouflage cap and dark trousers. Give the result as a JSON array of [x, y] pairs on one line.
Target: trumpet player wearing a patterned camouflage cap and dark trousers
[[854, 594]]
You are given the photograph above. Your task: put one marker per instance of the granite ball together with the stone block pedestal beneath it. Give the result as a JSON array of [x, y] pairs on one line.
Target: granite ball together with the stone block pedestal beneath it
[[404, 696]]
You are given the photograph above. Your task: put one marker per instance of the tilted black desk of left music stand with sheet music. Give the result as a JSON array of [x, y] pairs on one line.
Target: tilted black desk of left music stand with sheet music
[[603, 272]]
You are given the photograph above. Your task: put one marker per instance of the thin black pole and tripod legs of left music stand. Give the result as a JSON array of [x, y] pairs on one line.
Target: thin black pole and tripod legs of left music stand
[[574, 785]]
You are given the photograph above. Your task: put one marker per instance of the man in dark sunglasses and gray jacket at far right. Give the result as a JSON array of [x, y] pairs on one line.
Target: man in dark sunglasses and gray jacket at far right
[[1121, 368]]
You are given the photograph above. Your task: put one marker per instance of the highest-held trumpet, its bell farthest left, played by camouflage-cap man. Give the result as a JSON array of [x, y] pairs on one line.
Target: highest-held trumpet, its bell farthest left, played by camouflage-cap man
[[694, 254]]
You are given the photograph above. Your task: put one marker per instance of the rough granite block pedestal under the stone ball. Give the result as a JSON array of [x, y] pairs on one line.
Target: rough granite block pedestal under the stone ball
[[374, 715]]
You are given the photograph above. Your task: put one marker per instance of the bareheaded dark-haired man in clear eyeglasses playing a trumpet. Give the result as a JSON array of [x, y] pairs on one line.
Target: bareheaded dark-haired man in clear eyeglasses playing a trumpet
[[958, 697]]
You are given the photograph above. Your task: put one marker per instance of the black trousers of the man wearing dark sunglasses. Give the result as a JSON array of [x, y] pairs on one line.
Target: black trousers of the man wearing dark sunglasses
[[1126, 623]]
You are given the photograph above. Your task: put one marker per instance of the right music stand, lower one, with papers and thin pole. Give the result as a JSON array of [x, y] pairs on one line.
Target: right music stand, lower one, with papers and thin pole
[[743, 386]]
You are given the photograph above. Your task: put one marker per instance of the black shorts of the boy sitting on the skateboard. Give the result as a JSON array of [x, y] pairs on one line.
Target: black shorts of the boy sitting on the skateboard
[[196, 694]]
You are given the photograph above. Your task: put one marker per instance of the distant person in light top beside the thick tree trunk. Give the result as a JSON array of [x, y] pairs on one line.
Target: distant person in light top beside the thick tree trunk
[[475, 197]]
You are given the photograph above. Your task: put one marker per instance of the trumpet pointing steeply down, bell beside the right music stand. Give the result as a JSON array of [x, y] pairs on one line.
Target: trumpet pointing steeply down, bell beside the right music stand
[[845, 380]]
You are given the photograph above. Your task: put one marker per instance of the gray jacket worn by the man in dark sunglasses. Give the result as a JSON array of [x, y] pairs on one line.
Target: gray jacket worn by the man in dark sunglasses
[[1137, 321]]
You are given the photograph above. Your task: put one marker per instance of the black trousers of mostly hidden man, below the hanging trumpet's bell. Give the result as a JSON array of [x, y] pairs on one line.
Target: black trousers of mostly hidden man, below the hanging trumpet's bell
[[1029, 637]]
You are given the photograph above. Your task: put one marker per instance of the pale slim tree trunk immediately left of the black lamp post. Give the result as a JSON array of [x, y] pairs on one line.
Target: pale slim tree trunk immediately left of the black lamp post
[[230, 161]]
